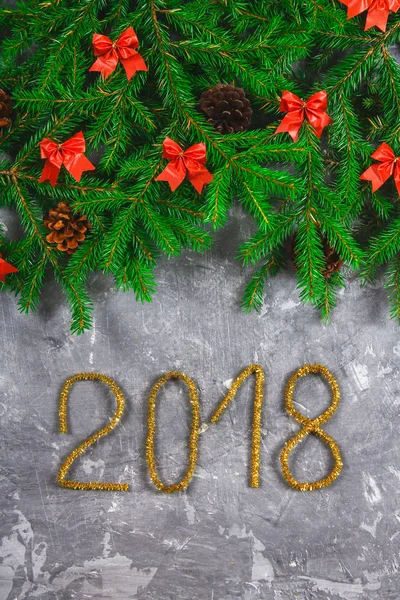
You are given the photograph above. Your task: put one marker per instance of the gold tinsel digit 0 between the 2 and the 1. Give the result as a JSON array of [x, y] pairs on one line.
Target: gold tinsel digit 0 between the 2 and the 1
[[194, 433]]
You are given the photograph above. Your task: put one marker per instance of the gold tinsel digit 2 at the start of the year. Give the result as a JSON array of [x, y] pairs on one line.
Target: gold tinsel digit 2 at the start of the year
[[65, 467]]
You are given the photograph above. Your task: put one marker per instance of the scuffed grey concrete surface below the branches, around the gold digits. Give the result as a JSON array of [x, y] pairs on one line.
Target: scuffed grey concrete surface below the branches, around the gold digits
[[220, 540]]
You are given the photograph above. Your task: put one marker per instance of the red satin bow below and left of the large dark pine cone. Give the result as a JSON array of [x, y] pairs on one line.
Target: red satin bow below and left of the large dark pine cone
[[190, 162]]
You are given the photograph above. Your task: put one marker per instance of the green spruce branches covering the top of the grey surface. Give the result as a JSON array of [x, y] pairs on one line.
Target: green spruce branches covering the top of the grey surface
[[311, 186]]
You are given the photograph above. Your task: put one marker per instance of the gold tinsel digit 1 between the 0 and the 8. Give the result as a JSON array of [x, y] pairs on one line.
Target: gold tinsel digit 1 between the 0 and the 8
[[257, 413]]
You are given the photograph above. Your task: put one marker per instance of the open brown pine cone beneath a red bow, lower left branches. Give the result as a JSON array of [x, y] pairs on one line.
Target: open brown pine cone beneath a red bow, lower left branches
[[67, 230]]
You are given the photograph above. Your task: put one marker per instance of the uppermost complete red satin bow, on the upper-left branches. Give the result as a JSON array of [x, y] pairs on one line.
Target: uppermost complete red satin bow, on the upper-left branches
[[123, 50]]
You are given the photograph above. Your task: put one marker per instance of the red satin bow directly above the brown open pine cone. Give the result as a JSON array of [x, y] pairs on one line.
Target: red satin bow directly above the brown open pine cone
[[70, 154]]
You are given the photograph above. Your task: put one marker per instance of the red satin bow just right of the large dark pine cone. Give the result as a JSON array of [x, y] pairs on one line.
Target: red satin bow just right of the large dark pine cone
[[313, 110]]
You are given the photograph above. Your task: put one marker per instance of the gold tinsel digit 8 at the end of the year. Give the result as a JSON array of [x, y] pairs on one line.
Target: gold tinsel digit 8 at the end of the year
[[311, 426]]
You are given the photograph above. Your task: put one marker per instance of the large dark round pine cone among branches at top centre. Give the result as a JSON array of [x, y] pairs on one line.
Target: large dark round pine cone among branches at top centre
[[227, 108]]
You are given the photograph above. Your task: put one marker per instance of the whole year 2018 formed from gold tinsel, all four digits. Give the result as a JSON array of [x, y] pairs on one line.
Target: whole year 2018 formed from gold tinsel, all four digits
[[308, 426]]
